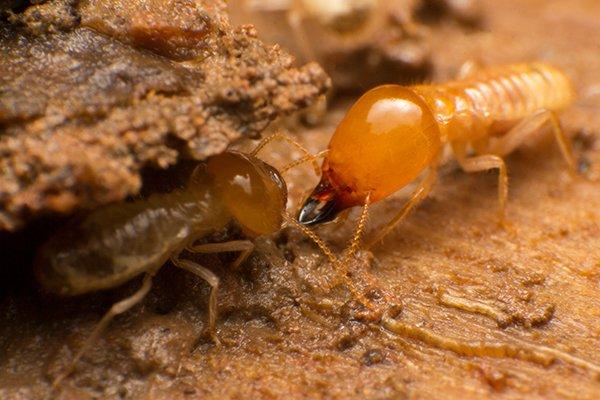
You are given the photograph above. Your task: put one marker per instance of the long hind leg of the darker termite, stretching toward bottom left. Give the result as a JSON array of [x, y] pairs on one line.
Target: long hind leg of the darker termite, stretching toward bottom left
[[116, 309]]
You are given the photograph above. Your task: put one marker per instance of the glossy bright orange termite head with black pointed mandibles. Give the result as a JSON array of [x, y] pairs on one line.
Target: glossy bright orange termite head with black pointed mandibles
[[386, 140]]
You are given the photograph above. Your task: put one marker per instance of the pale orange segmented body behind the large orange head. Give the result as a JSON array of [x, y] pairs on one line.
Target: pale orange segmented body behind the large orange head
[[468, 108]]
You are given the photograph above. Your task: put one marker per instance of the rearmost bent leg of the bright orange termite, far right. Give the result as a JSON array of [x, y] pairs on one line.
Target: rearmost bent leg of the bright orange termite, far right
[[523, 130]]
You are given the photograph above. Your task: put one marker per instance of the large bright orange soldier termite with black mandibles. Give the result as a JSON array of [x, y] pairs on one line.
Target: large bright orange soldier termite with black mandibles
[[393, 134]]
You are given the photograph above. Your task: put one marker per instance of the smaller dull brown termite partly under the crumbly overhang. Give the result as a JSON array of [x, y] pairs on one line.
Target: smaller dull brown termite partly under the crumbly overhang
[[118, 242]]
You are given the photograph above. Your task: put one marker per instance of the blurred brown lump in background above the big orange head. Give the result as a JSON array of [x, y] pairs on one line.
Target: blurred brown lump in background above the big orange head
[[359, 43]]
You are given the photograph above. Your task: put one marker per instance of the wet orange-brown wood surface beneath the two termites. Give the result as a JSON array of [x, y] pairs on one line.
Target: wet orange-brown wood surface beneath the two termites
[[287, 336]]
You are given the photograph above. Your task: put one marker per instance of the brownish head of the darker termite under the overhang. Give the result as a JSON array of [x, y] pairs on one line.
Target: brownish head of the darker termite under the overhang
[[253, 192]]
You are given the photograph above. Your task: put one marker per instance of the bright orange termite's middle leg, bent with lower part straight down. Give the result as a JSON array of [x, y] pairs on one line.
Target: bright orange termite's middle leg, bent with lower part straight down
[[484, 163]]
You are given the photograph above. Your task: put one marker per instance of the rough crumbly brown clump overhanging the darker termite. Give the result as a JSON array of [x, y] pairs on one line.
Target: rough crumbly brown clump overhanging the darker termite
[[82, 113]]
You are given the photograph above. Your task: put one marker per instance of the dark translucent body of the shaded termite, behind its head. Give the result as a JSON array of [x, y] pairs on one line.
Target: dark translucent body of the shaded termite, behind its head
[[117, 242]]
